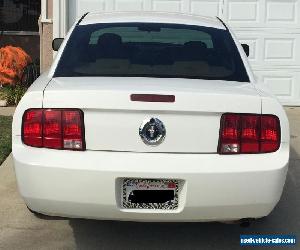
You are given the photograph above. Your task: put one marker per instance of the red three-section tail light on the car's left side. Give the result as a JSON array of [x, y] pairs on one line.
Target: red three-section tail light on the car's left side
[[54, 128]]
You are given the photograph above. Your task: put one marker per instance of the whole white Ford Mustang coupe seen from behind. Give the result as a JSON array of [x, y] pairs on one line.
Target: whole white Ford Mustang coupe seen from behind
[[150, 117]]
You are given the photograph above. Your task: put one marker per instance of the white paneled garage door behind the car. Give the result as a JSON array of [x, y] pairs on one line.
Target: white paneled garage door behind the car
[[270, 27]]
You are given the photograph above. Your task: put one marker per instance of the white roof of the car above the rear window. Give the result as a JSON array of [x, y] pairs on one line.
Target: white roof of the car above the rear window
[[152, 17]]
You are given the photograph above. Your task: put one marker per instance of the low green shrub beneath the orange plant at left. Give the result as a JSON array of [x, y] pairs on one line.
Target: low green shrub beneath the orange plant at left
[[13, 94]]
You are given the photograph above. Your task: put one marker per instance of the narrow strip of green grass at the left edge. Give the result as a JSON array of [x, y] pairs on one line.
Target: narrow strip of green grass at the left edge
[[5, 137]]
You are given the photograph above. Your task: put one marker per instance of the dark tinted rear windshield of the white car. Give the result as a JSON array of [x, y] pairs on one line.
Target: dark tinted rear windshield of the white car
[[151, 50]]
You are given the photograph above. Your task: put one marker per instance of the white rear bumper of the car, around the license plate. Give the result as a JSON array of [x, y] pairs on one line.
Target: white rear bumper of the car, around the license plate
[[87, 184]]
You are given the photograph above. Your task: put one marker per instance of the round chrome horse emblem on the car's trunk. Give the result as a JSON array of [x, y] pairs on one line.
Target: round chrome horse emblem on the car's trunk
[[152, 131]]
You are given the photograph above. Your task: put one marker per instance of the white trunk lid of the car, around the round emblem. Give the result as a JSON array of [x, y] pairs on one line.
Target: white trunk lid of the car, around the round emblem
[[112, 120]]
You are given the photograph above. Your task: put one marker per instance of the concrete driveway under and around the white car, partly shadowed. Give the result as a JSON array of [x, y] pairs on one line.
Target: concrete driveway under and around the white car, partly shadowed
[[19, 229]]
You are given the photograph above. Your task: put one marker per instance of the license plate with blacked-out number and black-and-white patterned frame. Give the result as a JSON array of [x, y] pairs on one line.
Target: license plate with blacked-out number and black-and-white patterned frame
[[150, 194]]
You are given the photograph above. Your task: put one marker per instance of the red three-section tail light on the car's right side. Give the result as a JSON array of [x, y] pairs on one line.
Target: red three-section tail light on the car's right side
[[249, 134]]
